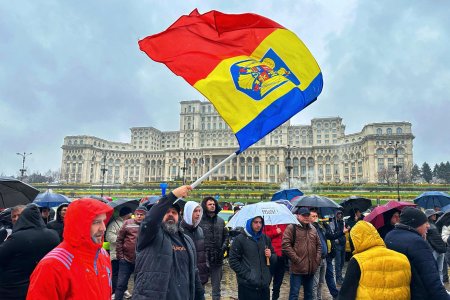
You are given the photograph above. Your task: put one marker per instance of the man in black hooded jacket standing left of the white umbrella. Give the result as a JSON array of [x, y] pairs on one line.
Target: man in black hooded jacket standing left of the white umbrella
[[216, 241]]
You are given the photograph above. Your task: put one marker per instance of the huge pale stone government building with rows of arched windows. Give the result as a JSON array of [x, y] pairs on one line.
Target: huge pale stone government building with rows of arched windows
[[319, 152]]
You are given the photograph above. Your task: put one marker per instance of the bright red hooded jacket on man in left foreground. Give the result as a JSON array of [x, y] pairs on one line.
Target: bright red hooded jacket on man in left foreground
[[78, 268]]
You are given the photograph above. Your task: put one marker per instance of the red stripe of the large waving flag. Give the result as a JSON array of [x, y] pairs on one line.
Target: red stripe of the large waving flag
[[194, 45]]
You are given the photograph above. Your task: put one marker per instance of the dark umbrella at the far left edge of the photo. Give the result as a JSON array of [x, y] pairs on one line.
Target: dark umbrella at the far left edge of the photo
[[14, 192]]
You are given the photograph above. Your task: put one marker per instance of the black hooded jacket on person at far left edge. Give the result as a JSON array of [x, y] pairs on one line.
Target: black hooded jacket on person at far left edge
[[20, 253]]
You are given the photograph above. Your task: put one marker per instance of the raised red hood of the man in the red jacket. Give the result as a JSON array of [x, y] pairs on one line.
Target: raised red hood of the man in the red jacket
[[78, 221]]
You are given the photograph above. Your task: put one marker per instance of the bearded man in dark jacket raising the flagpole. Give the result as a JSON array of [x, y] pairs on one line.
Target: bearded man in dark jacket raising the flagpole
[[166, 262]]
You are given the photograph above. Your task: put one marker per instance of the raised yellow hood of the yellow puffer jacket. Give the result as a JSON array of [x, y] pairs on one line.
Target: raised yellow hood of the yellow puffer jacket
[[364, 236]]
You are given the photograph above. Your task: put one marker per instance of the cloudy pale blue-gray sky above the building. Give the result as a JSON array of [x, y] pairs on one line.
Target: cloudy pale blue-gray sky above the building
[[74, 67]]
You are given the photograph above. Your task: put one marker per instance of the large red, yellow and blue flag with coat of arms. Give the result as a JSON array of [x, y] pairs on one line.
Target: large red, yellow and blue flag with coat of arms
[[256, 73]]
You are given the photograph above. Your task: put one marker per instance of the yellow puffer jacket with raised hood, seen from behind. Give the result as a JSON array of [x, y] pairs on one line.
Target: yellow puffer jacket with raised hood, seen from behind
[[385, 274]]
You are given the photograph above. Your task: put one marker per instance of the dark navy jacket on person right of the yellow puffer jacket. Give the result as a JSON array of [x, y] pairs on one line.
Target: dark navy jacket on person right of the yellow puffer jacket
[[425, 281]]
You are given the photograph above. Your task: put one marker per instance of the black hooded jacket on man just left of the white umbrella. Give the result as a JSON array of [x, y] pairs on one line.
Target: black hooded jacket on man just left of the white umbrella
[[216, 235]]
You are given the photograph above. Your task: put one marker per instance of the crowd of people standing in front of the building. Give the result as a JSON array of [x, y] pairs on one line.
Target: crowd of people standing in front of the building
[[174, 248]]
